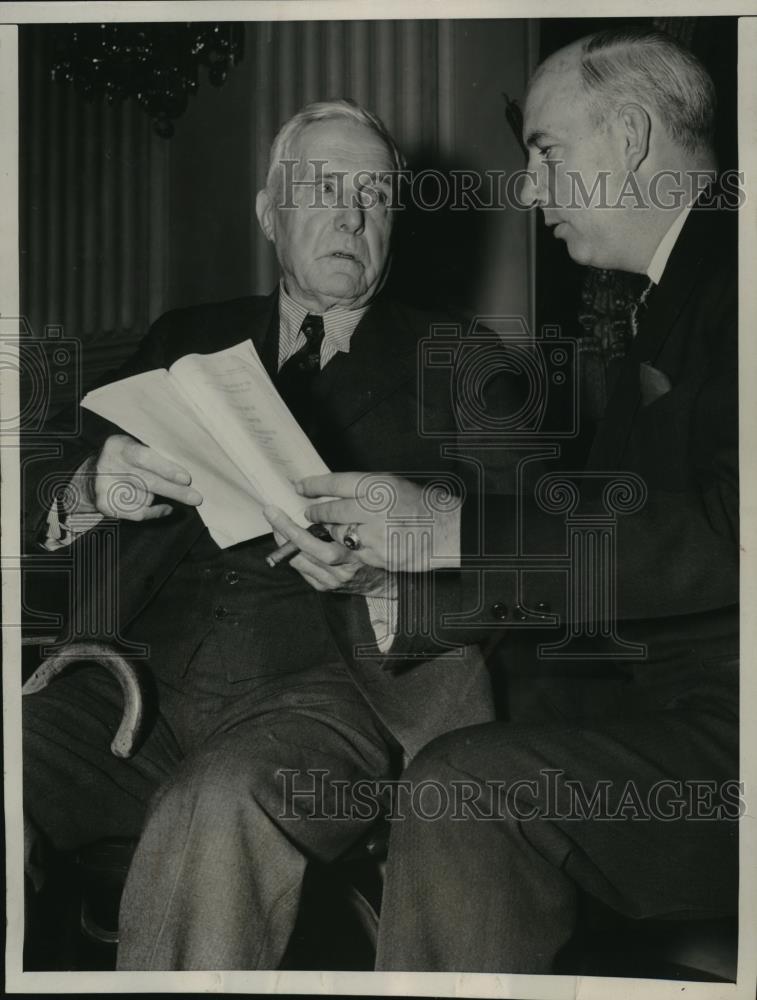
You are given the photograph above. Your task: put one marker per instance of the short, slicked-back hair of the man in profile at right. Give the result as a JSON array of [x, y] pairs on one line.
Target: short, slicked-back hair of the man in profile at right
[[640, 64]]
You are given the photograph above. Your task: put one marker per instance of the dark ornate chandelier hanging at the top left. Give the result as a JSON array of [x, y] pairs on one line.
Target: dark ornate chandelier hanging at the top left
[[156, 64]]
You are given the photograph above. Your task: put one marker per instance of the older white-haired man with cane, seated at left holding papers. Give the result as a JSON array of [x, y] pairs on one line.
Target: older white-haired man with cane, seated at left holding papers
[[253, 669]]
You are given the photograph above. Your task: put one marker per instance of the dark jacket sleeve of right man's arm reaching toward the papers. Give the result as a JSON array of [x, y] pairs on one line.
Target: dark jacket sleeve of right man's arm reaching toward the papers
[[677, 554]]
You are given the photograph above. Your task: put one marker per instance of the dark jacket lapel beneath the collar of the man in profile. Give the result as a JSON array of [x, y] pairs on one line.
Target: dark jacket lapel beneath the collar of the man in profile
[[666, 302]]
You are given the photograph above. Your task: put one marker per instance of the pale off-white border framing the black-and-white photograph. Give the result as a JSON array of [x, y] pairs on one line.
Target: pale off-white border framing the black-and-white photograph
[[369, 983]]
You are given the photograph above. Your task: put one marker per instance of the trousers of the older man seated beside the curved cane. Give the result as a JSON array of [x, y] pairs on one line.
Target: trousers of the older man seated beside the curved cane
[[224, 834]]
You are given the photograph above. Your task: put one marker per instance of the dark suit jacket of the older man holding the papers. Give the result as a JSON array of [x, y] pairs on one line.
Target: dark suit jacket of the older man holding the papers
[[372, 400]]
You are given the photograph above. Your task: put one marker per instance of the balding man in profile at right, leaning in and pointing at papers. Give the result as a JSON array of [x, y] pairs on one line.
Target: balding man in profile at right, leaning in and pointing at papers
[[631, 795]]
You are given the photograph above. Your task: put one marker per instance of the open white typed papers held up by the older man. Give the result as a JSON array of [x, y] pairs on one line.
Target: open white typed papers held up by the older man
[[220, 417]]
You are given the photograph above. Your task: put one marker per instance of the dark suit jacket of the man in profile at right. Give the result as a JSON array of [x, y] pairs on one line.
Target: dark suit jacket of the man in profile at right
[[678, 556]]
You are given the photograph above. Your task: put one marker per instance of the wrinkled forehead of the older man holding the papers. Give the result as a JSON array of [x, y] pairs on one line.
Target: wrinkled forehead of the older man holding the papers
[[344, 145]]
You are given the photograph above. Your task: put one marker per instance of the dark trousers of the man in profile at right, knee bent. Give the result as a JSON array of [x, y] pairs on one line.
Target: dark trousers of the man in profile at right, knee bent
[[485, 877]]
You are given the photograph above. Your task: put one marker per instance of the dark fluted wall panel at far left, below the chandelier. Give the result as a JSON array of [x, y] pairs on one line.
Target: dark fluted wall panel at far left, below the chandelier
[[92, 198]]
